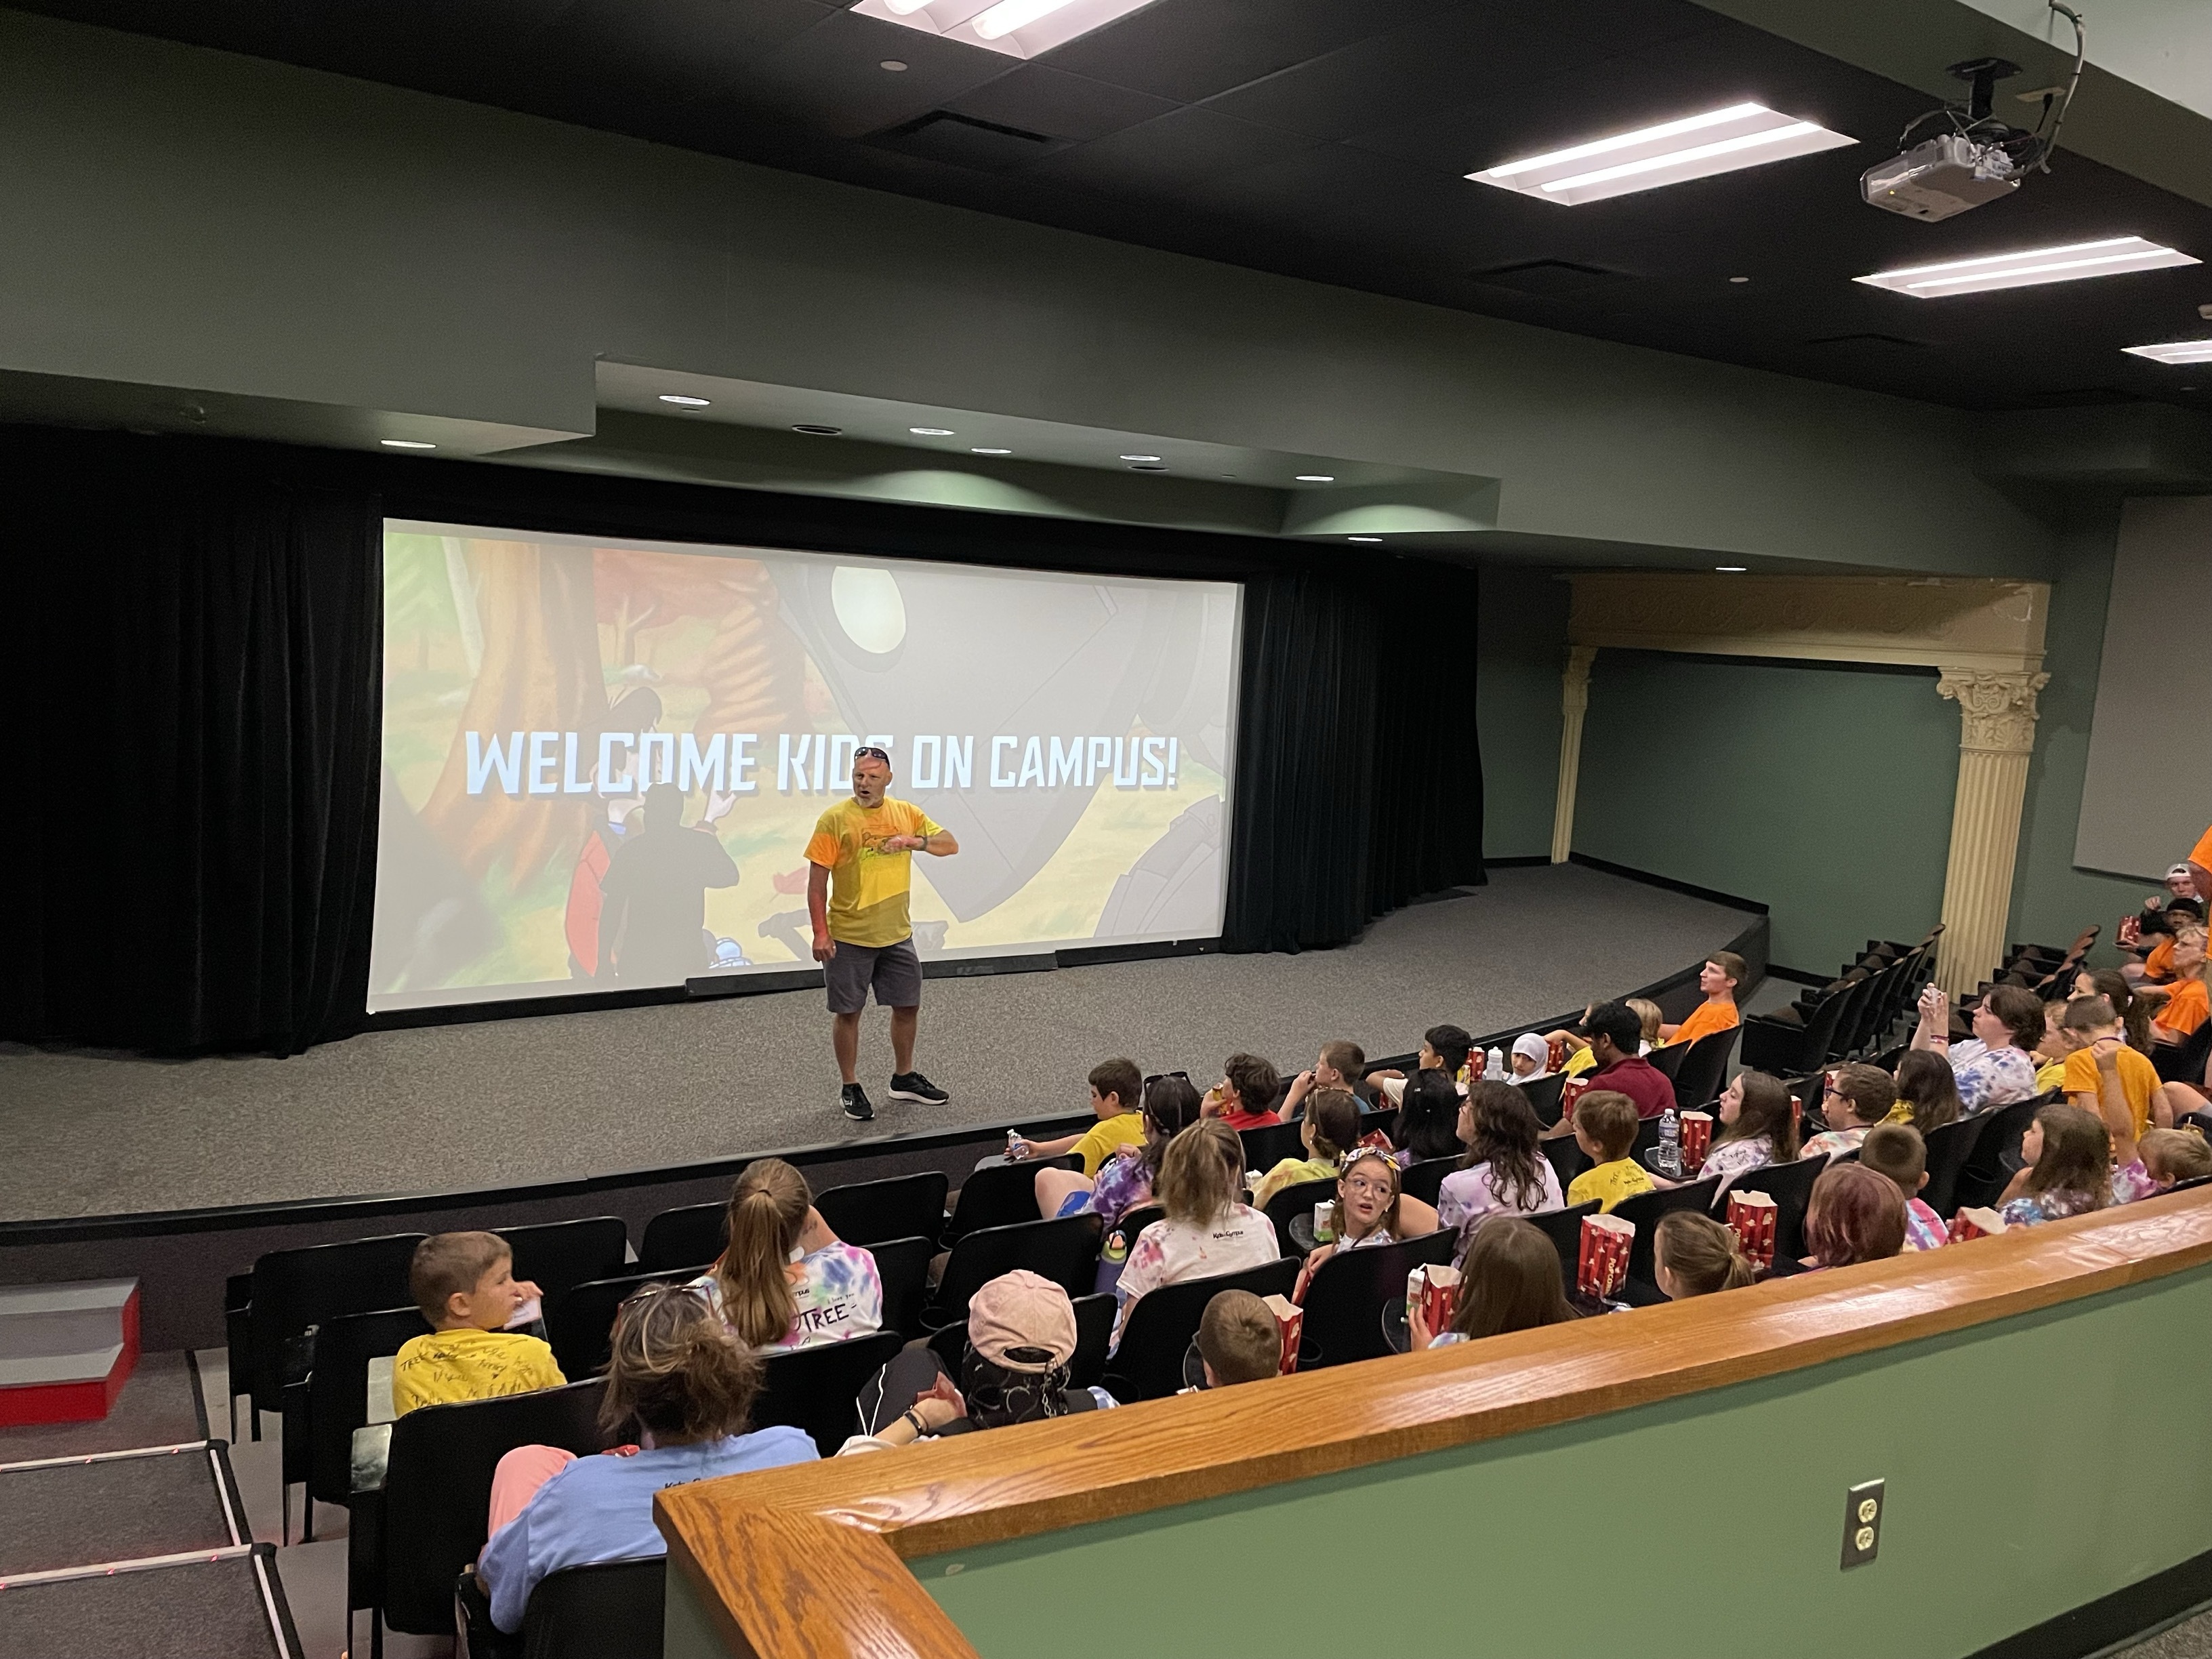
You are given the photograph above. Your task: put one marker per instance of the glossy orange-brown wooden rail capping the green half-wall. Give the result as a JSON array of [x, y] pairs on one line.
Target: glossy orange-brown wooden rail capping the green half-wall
[[762, 1550]]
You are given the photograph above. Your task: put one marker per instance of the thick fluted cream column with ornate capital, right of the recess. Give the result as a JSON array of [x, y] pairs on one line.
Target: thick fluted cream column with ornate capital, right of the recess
[[1996, 738]]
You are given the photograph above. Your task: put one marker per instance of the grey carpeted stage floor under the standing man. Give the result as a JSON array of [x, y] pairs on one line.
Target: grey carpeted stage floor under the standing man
[[587, 1094]]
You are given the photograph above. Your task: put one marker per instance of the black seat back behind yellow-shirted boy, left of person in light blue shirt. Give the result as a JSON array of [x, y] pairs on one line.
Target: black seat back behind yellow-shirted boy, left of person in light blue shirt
[[439, 1488]]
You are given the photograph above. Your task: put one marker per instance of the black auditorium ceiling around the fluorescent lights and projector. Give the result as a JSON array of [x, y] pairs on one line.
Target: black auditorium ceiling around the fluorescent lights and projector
[[1328, 140]]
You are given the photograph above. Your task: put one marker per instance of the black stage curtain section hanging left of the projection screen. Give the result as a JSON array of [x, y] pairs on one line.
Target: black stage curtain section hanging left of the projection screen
[[196, 747]]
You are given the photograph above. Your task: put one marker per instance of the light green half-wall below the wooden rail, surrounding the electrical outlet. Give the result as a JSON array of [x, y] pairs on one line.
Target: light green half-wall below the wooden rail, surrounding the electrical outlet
[[2021, 1485]]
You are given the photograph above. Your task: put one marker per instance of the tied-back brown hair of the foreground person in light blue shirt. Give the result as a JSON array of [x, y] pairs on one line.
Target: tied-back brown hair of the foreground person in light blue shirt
[[676, 1370]]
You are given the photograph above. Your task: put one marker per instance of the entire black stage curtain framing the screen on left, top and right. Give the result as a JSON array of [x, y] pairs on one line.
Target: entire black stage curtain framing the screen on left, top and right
[[198, 705]]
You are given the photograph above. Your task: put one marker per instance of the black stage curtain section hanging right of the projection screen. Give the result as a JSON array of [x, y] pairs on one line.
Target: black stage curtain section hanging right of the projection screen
[[1359, 780]]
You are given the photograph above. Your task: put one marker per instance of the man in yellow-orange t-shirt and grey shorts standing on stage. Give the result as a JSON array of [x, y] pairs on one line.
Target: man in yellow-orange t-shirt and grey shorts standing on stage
[[862, 930]]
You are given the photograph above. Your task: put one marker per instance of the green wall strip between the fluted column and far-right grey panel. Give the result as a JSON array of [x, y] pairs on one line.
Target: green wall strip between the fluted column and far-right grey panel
[[2052, 899]]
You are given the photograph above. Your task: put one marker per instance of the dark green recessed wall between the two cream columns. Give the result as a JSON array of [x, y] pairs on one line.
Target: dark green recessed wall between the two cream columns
[[1819, 789]]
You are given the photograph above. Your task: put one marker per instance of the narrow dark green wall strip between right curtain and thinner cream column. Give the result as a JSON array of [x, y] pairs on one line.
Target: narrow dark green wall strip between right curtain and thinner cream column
[[1521, 649]]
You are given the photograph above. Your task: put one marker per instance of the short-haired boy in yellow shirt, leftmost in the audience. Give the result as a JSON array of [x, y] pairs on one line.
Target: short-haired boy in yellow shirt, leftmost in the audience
[[466, 1286]]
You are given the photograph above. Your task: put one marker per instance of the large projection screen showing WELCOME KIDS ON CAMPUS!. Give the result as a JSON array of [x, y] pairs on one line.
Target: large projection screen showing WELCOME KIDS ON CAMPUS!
[[1074, 733]]
